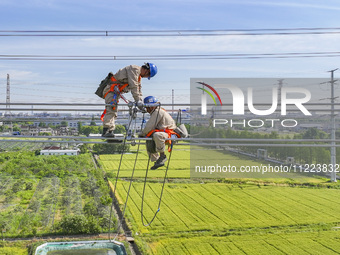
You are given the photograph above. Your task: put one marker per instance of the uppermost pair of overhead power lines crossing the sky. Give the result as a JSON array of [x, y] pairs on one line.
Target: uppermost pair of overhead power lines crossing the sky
[[173, 32]]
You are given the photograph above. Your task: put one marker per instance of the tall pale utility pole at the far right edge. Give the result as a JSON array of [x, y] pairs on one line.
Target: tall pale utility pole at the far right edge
[[333, 148]]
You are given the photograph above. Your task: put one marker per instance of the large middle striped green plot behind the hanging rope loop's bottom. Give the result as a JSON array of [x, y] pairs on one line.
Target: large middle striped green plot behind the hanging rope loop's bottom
[[221, 208]]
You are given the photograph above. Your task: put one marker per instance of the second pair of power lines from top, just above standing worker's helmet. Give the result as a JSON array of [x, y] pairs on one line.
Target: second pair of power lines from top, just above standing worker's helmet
[[172, 57]]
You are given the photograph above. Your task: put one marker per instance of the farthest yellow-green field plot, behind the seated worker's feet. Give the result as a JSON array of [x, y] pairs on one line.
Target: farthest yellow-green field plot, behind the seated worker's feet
[[180, 167]]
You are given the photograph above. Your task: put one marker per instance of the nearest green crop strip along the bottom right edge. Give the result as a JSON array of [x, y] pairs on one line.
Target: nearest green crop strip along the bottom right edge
[[325, 242]]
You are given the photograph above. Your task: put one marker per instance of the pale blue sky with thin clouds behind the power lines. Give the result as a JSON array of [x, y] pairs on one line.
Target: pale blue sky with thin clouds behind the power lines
[[75, 81]]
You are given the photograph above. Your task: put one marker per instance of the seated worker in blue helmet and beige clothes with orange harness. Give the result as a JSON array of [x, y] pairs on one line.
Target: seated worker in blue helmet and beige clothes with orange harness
[[160, 126]]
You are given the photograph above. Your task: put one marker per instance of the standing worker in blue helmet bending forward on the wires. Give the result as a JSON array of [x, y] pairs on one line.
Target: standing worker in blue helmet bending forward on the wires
[[114, 85]]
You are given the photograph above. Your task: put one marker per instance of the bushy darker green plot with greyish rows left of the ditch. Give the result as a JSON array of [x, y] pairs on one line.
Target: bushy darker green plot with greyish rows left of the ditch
[[31, 204]]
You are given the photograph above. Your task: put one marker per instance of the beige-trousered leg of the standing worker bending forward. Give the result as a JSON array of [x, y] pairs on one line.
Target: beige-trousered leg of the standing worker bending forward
[[109, 117]]
